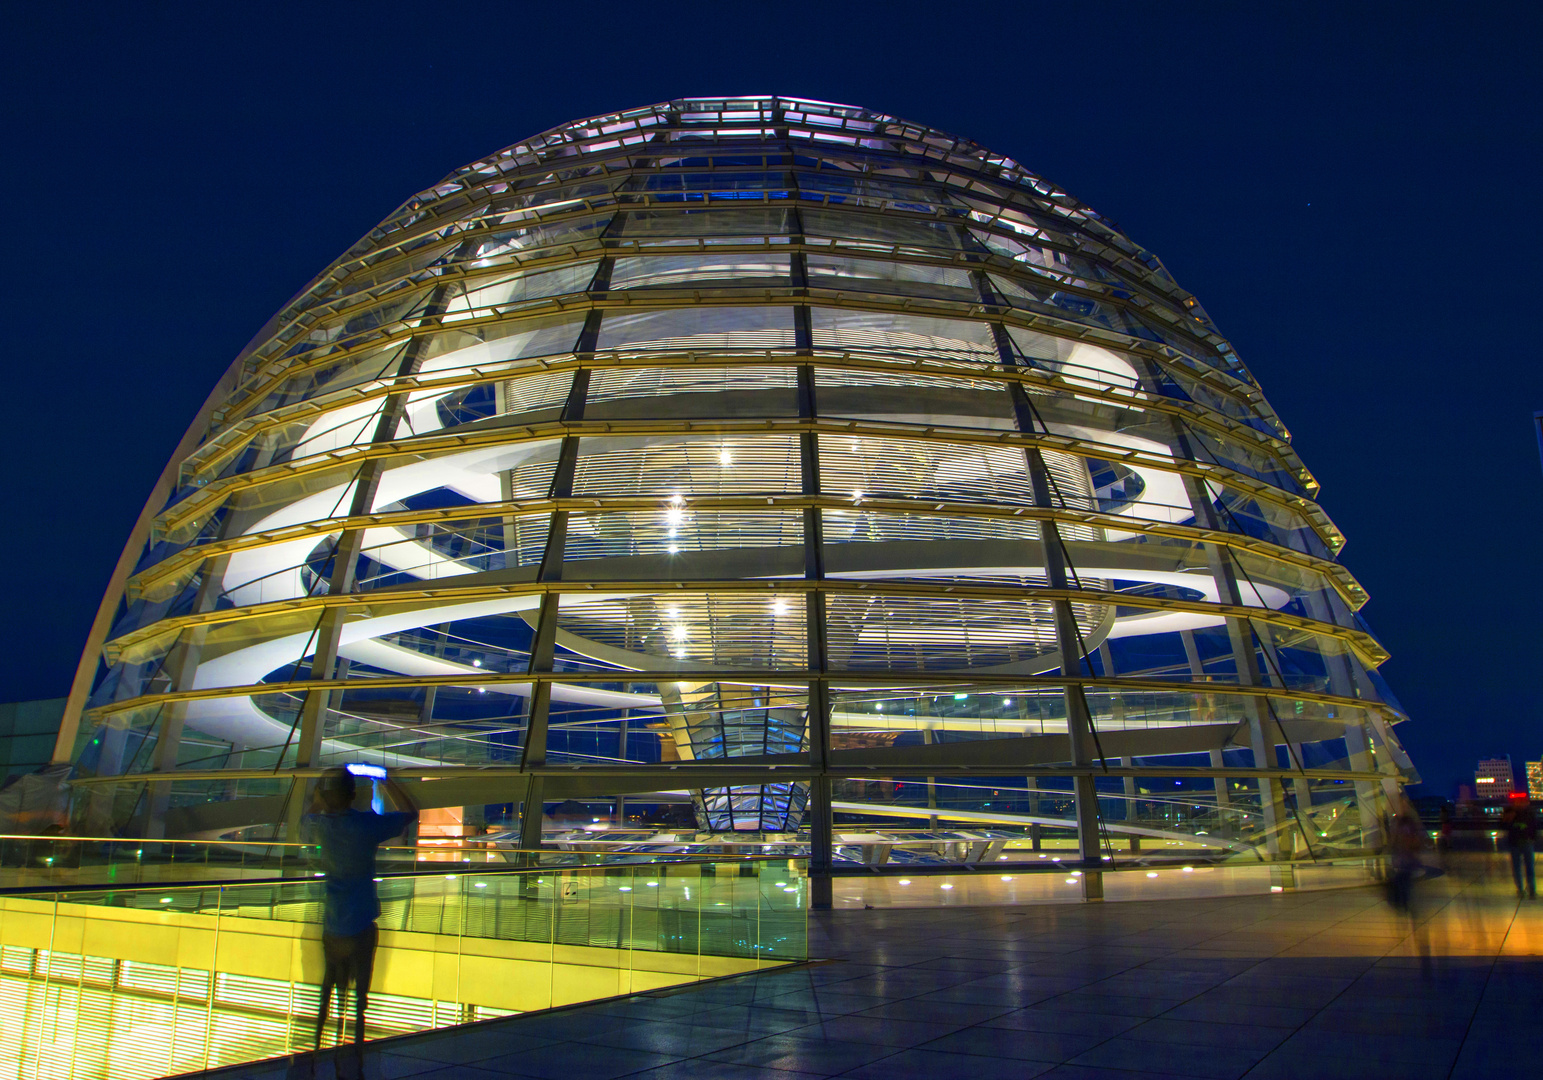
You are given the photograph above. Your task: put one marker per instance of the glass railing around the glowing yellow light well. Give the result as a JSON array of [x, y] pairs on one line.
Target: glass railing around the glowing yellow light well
[[157, 980]]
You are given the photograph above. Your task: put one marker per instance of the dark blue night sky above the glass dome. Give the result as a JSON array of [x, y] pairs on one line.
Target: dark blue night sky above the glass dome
[[1356, 194]]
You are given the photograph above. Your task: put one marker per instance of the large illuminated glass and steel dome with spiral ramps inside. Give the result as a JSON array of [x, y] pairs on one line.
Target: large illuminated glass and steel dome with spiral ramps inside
[[800, 440]]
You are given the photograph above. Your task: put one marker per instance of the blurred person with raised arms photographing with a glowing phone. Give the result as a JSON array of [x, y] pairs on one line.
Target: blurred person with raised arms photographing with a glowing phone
[[348, 840]]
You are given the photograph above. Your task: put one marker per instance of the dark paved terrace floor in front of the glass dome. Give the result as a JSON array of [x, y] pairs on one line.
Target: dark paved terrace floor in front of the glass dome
[[1303, 987]]
